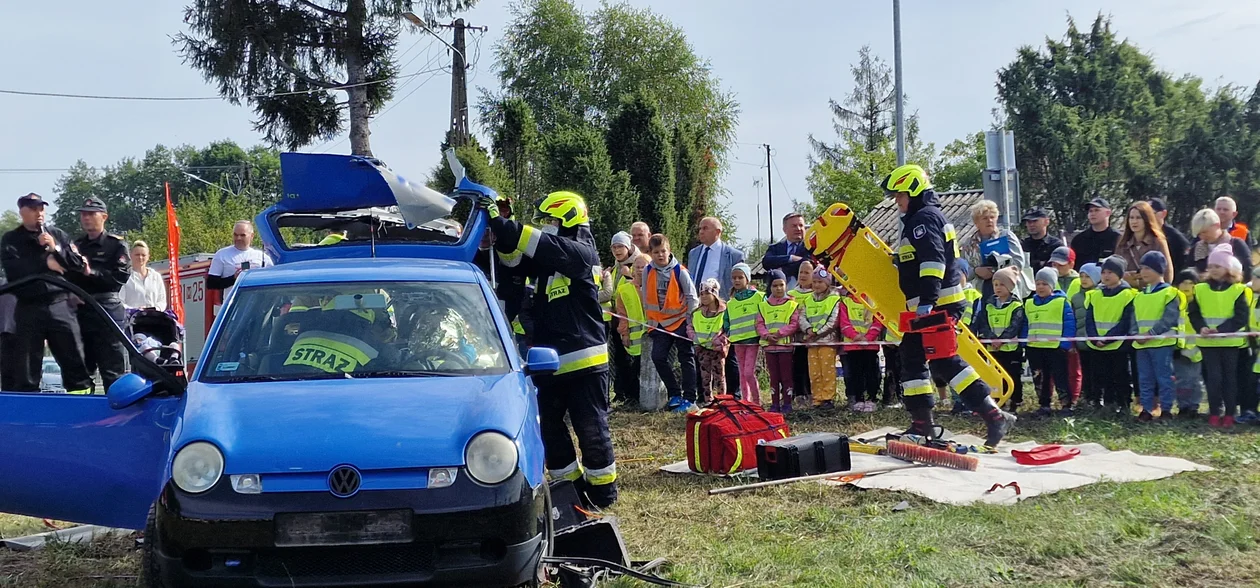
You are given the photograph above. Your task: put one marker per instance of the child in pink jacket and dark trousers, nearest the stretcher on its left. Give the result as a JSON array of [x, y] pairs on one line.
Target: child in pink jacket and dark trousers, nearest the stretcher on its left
[[859, 325]]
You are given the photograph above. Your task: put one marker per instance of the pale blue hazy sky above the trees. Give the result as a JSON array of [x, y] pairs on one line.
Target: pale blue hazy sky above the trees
[[783, 69]]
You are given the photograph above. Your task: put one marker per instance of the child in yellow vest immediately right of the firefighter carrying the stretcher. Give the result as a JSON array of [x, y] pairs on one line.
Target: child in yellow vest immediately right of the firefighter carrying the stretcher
[[1002, 318]]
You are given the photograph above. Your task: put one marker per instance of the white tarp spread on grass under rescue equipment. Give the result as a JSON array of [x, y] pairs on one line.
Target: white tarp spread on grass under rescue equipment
[[1096, 464]]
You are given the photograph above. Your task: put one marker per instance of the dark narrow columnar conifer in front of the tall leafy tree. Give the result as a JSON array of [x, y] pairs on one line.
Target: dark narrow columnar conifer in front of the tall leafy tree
[[639, 144]]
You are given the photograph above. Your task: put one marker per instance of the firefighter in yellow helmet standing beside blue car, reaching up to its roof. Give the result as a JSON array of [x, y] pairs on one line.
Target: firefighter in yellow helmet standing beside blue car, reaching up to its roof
[[560, 257]]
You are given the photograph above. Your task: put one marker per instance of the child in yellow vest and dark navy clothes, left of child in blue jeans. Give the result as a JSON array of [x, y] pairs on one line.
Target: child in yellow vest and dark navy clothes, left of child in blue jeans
[[1109, 314]]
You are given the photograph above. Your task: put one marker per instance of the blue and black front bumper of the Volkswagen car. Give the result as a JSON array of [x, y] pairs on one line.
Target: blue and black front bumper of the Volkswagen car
[[467, 534]]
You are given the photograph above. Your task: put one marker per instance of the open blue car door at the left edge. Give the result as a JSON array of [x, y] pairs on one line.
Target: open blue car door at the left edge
[[75, 459]]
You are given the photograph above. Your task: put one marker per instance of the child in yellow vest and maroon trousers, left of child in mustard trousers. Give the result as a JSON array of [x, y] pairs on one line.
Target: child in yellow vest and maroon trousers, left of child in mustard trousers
[[778, 320]]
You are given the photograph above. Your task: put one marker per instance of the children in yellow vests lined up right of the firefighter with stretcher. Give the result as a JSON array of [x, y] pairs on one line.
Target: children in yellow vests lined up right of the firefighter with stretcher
[[1152, 328]]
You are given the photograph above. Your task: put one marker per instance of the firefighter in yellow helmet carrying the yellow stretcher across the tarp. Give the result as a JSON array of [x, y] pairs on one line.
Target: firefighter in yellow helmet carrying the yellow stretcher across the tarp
[[931, 280]]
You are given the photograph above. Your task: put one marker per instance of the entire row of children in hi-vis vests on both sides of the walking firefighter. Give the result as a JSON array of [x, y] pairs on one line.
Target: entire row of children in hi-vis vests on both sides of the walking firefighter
[[1143, 338]]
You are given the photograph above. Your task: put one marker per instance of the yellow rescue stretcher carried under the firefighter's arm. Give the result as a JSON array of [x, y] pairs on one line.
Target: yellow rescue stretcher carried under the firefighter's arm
[[861, 263]]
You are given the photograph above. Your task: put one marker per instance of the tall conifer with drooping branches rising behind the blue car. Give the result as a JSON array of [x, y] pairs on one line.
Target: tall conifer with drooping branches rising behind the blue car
[[288, 59]]
